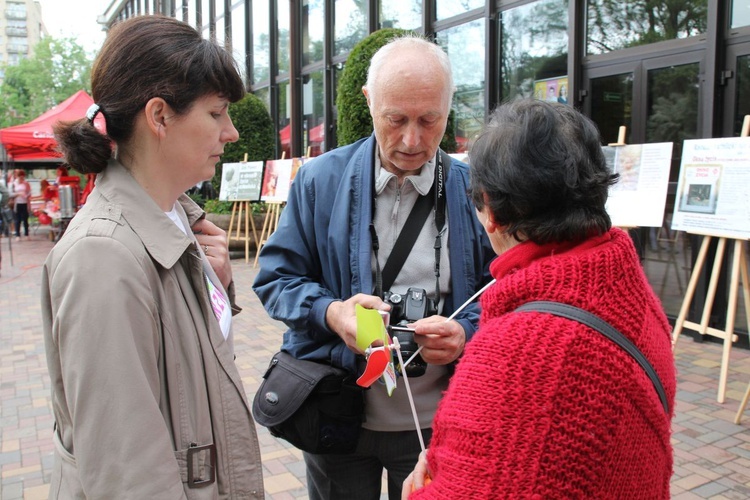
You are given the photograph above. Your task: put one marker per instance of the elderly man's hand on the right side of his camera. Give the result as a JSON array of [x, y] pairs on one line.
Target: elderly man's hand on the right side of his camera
[[442, 341]]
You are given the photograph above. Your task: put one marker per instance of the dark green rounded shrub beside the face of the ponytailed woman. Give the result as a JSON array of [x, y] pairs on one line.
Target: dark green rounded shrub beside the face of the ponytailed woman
[[257, 135]]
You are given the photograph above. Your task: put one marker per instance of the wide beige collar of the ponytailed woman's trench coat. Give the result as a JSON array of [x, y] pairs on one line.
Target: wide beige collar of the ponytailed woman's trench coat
[[163, 240]]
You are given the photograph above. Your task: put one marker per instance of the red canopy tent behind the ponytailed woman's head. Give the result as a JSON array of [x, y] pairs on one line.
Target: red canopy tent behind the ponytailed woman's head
[[35, 141]]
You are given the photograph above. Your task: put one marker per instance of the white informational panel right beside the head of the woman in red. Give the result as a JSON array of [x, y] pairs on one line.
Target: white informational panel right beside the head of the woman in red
[[640, 195]]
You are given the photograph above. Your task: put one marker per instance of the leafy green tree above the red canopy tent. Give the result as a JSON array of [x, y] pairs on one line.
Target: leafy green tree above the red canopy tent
[[59, 68]]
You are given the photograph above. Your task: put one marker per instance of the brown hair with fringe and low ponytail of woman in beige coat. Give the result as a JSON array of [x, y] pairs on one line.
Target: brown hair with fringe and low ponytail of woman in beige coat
[[145, 57]]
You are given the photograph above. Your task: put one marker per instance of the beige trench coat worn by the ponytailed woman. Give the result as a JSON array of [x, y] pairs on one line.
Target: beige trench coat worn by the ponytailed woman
[[144, 385]]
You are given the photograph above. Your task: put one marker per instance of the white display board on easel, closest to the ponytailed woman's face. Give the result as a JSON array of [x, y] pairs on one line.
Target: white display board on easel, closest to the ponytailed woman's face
[[241, 184]]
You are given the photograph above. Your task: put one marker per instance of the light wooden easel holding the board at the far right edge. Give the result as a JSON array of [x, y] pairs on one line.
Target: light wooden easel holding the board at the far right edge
[[739, 266]]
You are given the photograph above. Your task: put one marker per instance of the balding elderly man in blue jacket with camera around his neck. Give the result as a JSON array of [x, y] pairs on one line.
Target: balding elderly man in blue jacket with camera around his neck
[[320, 261]]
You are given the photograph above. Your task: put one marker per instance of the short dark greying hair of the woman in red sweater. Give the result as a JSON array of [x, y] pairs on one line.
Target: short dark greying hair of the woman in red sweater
[[540, 169]]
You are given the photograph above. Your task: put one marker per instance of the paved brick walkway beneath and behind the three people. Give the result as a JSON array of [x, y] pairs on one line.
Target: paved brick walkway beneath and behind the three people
[[712, 454]]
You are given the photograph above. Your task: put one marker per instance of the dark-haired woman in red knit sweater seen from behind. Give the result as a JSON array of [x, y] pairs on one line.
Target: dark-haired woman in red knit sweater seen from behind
[[541, 406]]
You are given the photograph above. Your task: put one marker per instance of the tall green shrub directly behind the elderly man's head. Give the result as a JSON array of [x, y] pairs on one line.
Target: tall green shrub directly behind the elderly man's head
[[354, 120]]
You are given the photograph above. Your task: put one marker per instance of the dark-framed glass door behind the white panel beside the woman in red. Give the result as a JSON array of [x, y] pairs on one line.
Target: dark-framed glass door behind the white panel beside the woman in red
[[657, 100]]
